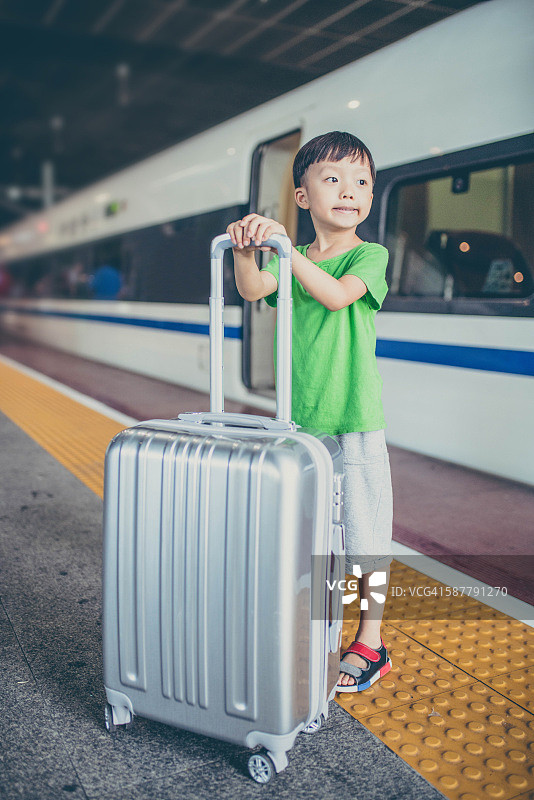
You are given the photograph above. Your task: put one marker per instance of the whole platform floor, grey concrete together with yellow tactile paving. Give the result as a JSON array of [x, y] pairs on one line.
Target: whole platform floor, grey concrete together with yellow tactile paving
[[454, 718]]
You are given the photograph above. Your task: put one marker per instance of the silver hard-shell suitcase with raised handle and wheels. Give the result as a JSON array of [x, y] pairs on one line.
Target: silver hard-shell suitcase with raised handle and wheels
[[223, 539]]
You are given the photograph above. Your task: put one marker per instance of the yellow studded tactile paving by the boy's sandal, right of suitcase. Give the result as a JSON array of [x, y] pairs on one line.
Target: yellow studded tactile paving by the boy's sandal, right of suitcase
[[457, 705]]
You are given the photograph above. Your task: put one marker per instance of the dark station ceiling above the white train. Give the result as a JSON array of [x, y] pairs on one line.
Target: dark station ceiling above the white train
[[95, 86]]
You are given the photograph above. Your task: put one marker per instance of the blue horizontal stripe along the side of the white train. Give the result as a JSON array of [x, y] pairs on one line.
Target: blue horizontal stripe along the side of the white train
[[490, 359]]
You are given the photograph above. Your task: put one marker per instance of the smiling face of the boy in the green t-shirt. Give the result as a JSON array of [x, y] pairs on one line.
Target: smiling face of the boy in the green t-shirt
[[338, 194]]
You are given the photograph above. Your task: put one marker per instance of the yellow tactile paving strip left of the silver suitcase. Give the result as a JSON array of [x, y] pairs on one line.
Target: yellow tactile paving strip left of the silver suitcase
[[75, 435]]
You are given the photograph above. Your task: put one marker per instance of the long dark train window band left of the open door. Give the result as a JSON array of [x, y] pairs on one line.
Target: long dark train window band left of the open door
[[161, 264]]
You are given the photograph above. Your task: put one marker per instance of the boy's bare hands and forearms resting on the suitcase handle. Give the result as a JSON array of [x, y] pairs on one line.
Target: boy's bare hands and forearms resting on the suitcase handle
[[333, 293]]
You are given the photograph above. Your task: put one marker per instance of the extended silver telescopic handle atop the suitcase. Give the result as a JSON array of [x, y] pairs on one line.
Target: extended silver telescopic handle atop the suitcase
[[284, 306]]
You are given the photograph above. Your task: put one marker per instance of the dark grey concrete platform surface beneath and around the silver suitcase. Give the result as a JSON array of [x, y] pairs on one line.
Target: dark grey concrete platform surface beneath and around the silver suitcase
[[53, 743]]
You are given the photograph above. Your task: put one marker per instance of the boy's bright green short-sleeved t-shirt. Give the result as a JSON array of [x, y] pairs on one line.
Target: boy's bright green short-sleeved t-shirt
[[336, 384]]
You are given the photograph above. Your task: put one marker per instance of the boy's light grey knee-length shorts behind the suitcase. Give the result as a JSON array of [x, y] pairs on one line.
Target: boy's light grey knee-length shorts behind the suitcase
[[368, 499]]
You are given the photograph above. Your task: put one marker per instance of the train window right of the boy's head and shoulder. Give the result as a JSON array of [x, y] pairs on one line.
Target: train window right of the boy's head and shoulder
[[466, 235]]
